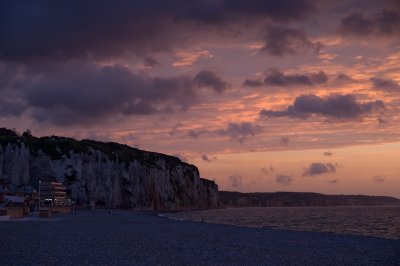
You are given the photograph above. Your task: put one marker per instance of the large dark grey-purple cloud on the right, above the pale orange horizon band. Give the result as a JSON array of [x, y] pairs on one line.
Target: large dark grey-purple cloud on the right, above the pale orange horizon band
[[341, 107]]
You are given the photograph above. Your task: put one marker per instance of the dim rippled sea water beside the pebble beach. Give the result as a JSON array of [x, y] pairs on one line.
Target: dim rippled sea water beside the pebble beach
[[370, 221]]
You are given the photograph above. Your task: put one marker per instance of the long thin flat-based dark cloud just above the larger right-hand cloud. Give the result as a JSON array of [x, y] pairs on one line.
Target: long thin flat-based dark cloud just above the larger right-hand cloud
[[274, 77]]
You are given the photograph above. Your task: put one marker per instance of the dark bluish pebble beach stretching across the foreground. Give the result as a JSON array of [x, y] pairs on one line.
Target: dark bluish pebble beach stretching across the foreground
[[127, 238]]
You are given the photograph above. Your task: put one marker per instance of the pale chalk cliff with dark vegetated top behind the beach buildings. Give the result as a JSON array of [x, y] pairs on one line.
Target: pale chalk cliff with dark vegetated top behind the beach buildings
[[108, 173]]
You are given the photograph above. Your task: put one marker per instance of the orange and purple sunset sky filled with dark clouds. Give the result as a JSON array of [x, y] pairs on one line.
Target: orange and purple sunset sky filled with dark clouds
[[288, 95]]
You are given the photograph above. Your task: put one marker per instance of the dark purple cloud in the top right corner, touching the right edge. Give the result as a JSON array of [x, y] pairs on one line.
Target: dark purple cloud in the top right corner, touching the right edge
[[383, 23]]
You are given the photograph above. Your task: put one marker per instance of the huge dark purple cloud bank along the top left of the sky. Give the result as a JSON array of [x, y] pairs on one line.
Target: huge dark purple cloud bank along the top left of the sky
[[92, 29]]
